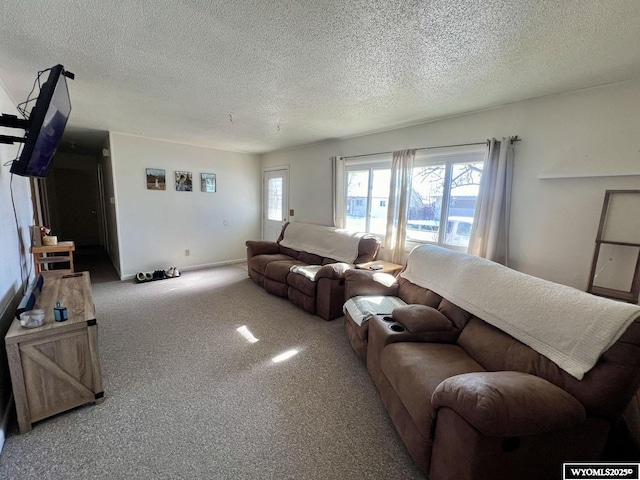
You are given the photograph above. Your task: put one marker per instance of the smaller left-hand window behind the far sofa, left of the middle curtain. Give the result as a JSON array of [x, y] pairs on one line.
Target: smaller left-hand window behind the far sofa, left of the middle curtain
[[367, 196]]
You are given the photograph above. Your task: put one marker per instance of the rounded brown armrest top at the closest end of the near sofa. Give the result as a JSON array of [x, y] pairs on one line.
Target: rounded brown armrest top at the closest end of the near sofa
[[508, 404]]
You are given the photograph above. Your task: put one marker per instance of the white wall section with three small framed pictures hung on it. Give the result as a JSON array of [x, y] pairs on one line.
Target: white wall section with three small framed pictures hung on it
[[156, 227]]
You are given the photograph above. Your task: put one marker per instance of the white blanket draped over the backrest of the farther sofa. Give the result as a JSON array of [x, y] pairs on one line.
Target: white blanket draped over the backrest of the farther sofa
[[331, 242]]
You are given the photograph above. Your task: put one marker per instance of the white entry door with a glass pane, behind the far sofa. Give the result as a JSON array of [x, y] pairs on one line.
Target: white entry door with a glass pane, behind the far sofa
[[275, 202]]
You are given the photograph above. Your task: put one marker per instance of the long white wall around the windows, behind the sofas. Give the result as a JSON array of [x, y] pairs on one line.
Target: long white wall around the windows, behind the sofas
[[554, 221]]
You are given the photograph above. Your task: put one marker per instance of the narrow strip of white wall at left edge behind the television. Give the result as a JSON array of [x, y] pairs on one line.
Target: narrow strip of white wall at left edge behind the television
[[15, 260]]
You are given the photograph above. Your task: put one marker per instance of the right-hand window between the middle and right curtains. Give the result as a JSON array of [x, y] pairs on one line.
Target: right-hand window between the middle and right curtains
[[444, 193]]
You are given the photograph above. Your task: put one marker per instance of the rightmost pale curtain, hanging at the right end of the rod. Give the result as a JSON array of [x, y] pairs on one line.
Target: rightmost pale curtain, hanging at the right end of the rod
[[490, 231]]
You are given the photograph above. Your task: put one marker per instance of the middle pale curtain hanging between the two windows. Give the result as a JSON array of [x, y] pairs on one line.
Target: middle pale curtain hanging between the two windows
[[398, 206]]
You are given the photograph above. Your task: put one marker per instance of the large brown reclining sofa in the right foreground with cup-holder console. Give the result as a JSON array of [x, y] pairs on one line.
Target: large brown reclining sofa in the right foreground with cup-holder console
[[472, 402]]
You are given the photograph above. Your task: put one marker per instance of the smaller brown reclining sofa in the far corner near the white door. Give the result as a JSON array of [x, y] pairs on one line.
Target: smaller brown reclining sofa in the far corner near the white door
[[269, 265]]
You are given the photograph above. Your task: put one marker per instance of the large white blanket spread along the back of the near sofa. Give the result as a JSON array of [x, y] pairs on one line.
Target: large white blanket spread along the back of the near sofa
[[570, 327]]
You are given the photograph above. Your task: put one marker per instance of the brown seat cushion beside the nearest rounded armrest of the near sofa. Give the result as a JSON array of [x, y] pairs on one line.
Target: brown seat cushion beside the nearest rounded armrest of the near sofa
[[415, 369]]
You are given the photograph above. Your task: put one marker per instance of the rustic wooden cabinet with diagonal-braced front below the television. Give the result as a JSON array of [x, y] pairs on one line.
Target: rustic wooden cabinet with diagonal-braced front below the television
[[56, 367]]
